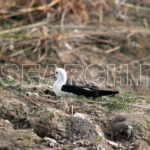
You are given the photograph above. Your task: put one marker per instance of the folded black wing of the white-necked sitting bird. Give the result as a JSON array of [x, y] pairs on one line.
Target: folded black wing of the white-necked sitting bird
[[87, 92]]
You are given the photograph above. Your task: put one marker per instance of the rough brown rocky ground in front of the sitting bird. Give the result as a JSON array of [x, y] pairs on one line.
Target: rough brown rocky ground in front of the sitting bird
[[36, 122]]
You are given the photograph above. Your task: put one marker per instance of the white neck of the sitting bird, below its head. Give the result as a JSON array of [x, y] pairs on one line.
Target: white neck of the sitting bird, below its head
[[61, 80]]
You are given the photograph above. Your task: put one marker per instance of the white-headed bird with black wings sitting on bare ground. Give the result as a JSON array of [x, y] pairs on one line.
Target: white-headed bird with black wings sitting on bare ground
[[61, 88]]
